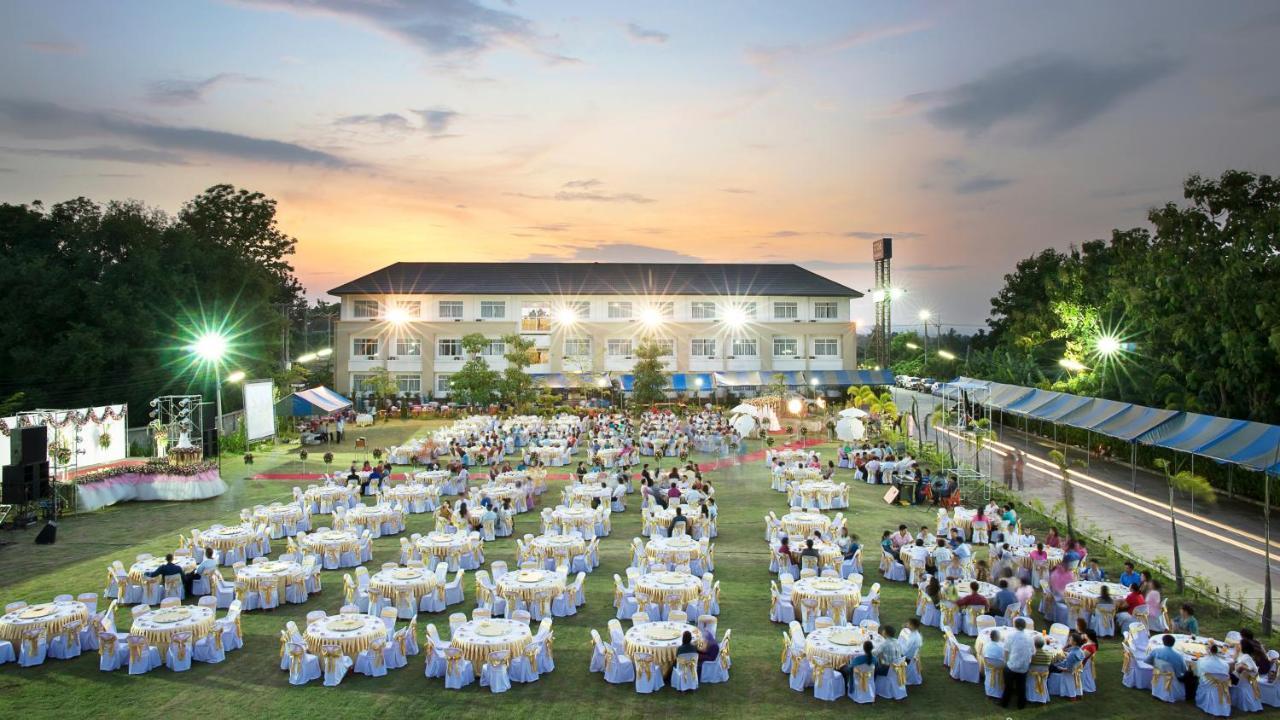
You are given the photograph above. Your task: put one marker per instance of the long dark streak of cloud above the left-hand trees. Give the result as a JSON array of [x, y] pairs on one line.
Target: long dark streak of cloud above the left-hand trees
[[49, 121]]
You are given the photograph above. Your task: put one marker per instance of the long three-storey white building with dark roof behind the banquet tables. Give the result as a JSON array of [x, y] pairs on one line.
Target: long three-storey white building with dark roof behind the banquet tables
[[726, 325]]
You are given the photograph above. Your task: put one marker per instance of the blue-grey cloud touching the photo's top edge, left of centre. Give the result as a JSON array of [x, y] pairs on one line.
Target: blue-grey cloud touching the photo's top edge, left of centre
[[437, 28]]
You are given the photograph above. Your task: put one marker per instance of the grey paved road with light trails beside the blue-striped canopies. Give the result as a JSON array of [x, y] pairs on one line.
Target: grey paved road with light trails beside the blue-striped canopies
[[1223, 543]]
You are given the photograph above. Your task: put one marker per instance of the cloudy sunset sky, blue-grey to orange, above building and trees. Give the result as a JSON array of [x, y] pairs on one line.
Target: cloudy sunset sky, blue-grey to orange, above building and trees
[[454, 130]]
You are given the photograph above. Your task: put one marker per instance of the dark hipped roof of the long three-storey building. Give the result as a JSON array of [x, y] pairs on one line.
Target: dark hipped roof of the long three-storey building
[[595, 279]]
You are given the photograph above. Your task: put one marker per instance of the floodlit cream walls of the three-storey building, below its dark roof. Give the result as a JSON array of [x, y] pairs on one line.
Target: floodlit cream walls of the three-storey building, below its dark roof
[[424, 323]]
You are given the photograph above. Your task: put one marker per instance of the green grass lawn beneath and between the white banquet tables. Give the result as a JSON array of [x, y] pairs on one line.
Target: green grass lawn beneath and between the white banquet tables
[[250, 683]]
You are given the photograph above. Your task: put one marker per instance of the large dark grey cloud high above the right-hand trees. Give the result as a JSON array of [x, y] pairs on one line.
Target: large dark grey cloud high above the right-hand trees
[[1049, 94]]
